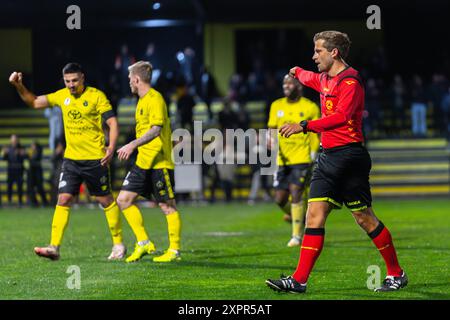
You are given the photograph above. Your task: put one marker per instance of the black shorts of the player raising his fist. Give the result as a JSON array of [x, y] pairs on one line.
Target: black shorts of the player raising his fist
[[75, 172]]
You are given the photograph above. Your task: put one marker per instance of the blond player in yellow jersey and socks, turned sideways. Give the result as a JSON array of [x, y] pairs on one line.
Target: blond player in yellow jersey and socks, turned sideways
[[153, 172]]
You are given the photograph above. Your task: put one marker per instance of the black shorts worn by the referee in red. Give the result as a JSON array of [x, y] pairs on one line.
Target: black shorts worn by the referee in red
[[341, 175]]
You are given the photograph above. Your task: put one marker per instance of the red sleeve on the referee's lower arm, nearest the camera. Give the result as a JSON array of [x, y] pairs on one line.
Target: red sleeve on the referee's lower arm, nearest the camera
[[350, 93]]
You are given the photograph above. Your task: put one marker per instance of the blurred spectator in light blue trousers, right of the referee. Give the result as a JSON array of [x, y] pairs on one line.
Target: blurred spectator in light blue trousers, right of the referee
[[418, 108]]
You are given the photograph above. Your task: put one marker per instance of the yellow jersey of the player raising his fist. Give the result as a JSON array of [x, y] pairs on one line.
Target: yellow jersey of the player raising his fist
[[82, 117]]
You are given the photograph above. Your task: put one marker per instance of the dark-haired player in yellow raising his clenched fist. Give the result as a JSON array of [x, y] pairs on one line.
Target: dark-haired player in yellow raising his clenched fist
[[86, 157]]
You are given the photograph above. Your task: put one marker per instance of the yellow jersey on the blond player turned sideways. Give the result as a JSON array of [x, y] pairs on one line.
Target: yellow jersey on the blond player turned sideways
[[151, 111]]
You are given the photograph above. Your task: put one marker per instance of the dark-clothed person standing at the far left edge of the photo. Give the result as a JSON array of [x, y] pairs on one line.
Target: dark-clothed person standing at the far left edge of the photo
[[15, 154]]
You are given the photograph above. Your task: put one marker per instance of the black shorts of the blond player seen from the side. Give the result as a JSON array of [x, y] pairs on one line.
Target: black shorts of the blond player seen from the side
[[151, 182]]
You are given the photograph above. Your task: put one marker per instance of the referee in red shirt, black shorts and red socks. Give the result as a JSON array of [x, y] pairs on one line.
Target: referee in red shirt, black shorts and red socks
[[342, 172]]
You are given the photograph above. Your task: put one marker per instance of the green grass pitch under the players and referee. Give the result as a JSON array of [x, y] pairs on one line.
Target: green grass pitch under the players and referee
[[228, 252]]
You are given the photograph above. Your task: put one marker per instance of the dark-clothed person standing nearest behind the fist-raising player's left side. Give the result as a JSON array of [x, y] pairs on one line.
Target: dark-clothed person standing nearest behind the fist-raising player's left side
[[35, 177]]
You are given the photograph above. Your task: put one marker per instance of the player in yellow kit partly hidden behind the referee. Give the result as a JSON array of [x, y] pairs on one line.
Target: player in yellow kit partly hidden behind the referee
[[294, 156]]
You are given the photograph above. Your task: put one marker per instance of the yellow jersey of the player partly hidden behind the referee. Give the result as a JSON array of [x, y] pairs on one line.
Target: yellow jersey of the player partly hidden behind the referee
[[297, 148]]
